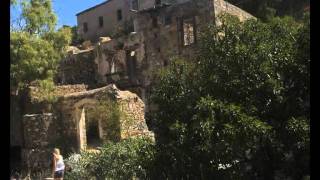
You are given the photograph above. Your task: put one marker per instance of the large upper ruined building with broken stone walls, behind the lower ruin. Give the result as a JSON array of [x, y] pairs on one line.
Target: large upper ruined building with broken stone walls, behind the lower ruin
[[162, 30]]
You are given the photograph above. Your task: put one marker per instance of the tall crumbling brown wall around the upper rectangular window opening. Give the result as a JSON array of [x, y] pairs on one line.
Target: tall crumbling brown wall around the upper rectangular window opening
[[161, 32]]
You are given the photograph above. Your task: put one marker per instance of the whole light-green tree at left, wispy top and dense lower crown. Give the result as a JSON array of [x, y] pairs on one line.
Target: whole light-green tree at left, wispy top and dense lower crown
[[36, 49]]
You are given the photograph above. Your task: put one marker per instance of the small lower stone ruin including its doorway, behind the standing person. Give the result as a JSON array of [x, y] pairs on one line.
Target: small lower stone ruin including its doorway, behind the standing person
[[73, 123]]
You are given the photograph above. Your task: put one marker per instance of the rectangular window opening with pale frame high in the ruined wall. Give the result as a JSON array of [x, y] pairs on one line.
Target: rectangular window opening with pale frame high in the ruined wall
[[189, 31]]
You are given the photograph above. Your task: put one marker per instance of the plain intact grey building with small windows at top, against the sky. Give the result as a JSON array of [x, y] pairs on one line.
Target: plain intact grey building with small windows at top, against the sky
[[105, 19]]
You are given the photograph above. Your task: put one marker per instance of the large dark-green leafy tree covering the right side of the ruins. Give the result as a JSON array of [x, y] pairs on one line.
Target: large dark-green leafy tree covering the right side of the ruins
[[241, 111]]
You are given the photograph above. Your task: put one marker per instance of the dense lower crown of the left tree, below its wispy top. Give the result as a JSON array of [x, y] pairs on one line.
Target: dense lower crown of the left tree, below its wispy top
[[35, 58]]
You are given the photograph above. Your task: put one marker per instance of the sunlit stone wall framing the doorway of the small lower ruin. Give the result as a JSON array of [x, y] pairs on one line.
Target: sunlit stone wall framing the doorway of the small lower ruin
[[72, 106]]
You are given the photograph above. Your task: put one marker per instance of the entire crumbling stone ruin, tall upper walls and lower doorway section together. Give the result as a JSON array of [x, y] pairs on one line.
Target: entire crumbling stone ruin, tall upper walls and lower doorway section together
[[127, 62]]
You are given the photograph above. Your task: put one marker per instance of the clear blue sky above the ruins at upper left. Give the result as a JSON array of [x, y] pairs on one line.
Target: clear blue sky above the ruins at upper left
[[66, 10]]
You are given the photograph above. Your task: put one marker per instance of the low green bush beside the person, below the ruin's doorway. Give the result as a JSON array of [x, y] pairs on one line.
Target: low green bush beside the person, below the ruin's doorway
[[124, 160]]
